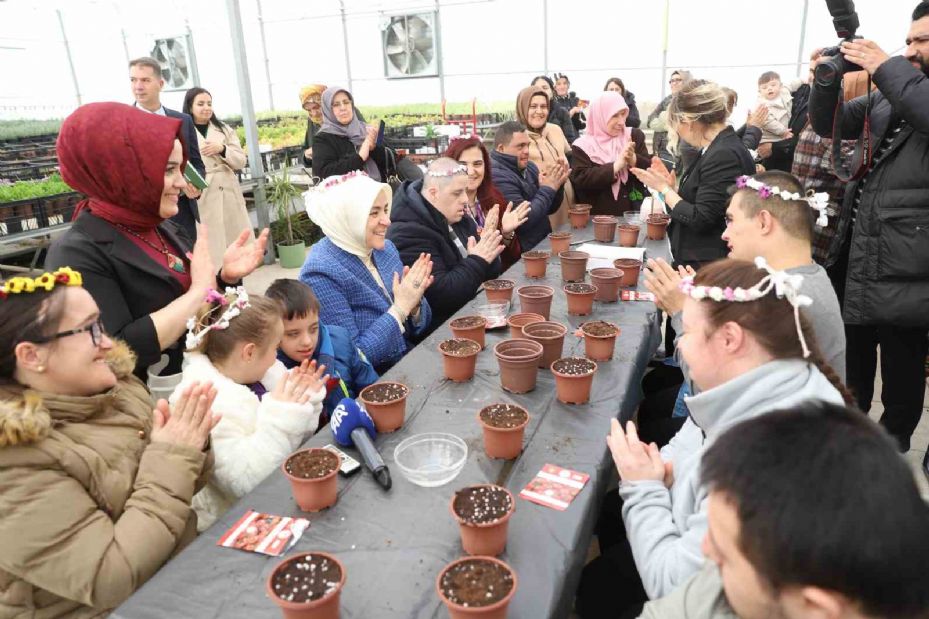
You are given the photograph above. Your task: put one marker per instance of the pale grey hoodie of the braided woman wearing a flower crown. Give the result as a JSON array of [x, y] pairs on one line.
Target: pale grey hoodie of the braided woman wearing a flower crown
[[666, 527]]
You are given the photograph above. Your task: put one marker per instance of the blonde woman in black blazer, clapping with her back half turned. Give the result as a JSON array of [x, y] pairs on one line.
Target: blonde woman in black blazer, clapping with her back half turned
[[698, 204]]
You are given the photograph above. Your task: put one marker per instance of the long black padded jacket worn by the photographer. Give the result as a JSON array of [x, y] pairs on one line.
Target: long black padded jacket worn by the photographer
[[888, 261]]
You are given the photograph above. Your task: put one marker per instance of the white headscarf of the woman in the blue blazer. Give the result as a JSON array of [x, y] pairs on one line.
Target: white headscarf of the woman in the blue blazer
[[340, 206]]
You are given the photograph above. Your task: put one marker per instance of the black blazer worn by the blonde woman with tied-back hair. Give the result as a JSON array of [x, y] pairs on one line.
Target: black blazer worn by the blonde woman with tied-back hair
[[698, 220]]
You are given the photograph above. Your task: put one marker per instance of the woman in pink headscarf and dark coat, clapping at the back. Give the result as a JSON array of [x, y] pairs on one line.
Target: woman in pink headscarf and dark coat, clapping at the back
[[604, 155]]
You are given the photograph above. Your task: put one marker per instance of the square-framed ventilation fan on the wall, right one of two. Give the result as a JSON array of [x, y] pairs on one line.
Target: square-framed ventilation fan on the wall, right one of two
[[410, 45]]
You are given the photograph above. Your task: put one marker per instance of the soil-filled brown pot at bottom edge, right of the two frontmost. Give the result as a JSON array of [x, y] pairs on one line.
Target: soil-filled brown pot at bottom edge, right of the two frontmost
[[476, 588]]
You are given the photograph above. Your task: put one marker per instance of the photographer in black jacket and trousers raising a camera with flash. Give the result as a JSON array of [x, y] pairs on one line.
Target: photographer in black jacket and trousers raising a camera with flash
[[879, 258]]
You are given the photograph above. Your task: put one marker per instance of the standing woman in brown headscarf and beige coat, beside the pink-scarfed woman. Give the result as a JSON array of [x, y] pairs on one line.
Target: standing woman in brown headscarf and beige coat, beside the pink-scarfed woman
[[547, 143]]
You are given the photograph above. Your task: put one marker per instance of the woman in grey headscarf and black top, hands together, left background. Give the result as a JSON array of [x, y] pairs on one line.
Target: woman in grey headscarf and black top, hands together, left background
[[345, 143]]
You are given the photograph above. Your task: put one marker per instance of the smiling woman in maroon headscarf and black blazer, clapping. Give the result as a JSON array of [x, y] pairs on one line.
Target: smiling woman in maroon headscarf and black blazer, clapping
[[139, 267]]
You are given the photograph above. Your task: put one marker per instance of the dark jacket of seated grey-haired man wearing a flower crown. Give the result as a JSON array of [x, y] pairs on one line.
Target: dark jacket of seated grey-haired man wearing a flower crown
[[417, 227]]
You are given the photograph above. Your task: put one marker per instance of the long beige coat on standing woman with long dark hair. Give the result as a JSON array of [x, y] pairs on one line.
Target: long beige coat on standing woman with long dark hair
[[222, 206]]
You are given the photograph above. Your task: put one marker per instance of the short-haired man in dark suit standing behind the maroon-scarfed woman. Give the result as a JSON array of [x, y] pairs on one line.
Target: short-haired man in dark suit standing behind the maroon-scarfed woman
[[145, 78]]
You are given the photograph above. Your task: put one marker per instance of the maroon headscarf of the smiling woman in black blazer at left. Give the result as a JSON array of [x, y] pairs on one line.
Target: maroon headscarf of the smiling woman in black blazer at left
[[116, 155]]
